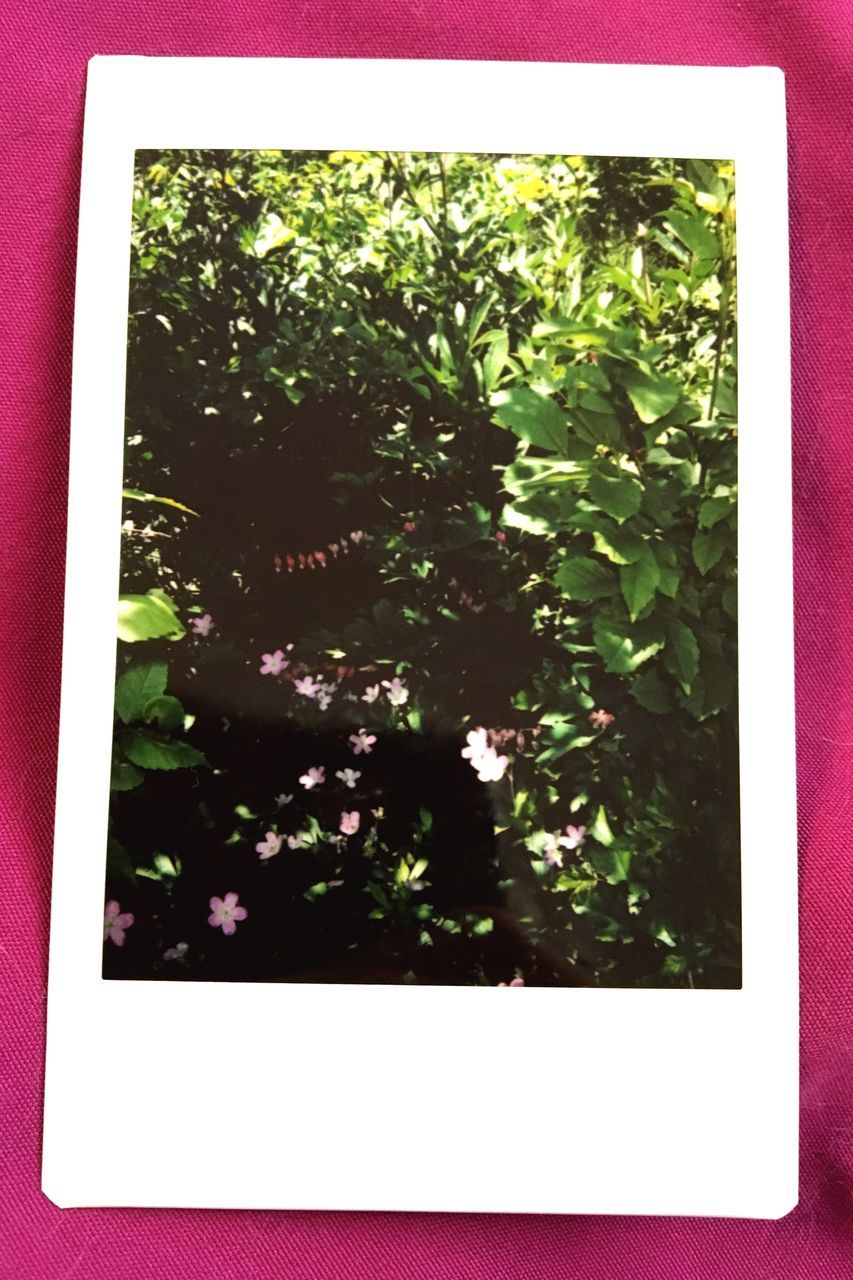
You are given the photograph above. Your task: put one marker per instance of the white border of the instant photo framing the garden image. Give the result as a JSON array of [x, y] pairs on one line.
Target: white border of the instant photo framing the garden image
[[444, 1099]]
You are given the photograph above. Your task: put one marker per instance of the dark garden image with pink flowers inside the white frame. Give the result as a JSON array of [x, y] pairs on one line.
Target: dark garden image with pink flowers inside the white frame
[[427, 661]]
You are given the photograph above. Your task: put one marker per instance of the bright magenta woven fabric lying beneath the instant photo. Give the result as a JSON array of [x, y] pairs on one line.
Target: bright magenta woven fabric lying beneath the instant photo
[[47, 44]]
